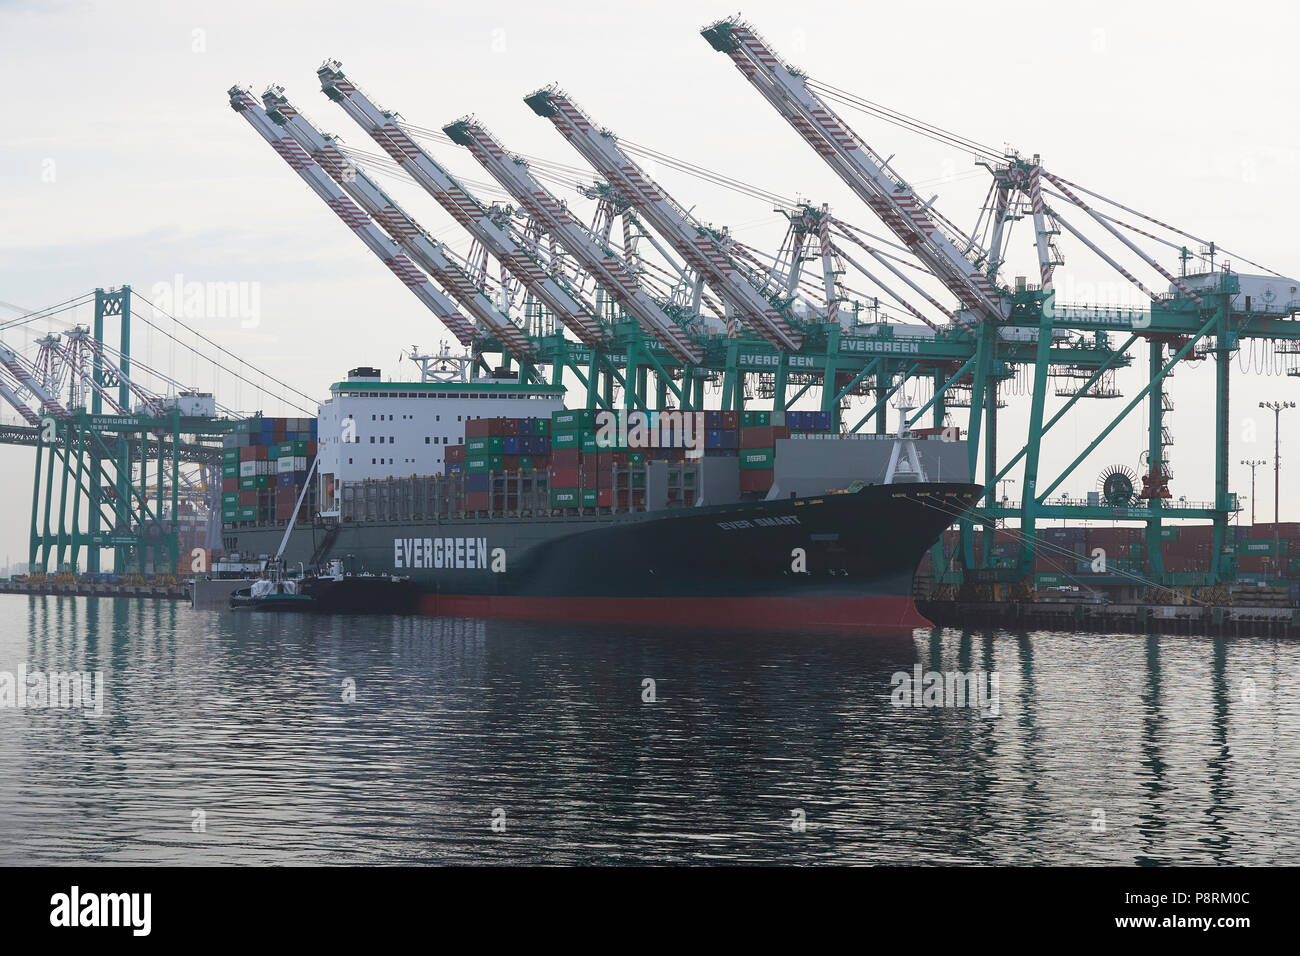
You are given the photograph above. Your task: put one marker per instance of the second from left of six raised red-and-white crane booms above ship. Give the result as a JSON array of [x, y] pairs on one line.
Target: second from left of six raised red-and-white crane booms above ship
[[431, 254]]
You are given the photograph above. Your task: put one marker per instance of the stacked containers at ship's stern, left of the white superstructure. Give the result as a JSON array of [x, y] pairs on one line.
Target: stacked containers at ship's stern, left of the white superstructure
[[265, 468]]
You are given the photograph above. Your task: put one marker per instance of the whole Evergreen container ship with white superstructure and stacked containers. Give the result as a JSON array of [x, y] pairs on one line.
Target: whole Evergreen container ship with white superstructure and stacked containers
[[495, 500]]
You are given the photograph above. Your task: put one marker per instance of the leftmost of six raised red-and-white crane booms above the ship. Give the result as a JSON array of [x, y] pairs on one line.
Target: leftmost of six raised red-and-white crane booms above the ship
[[388, 252]]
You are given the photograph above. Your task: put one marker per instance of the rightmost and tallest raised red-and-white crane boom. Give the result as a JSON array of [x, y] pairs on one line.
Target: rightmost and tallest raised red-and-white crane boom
[[861, 168]]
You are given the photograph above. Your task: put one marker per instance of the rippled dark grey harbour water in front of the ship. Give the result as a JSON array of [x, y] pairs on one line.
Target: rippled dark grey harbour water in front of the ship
[[229, 739]]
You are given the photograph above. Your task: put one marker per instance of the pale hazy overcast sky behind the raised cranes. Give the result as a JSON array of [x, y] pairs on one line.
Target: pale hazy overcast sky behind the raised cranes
[[123, 163]]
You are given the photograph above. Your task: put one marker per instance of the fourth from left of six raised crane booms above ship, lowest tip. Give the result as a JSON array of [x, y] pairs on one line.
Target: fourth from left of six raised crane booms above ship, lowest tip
[[597, 258]]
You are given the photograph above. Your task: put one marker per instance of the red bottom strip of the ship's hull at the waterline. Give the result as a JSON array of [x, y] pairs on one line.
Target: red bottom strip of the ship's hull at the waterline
[[868, 616]]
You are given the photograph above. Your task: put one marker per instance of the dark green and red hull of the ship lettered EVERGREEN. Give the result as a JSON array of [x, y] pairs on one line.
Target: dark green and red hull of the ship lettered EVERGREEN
[[842, 561]]
